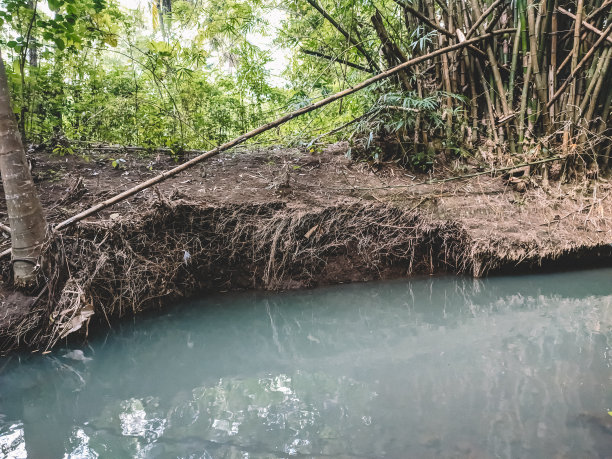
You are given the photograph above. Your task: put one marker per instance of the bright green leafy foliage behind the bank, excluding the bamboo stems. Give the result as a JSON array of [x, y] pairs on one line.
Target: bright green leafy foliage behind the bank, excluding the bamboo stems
[[199, 76]]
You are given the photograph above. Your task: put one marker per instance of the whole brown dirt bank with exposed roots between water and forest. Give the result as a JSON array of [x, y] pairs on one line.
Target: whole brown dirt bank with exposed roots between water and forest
[[282, 219]]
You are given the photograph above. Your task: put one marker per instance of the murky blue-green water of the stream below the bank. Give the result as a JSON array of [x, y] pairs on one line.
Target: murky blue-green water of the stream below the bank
[[501, 368]]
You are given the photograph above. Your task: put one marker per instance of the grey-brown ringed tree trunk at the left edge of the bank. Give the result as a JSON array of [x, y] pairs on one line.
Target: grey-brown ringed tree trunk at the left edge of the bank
[[25, 214]]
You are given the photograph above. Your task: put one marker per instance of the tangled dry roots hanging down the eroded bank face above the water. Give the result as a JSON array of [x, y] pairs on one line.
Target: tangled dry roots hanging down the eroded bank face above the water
[[131, 264]]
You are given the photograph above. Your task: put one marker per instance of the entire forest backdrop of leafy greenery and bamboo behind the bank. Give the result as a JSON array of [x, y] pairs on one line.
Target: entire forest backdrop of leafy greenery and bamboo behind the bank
[[190, 74]]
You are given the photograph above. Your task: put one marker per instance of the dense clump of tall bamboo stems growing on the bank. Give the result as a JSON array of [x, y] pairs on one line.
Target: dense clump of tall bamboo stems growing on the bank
[[540, 88]]
